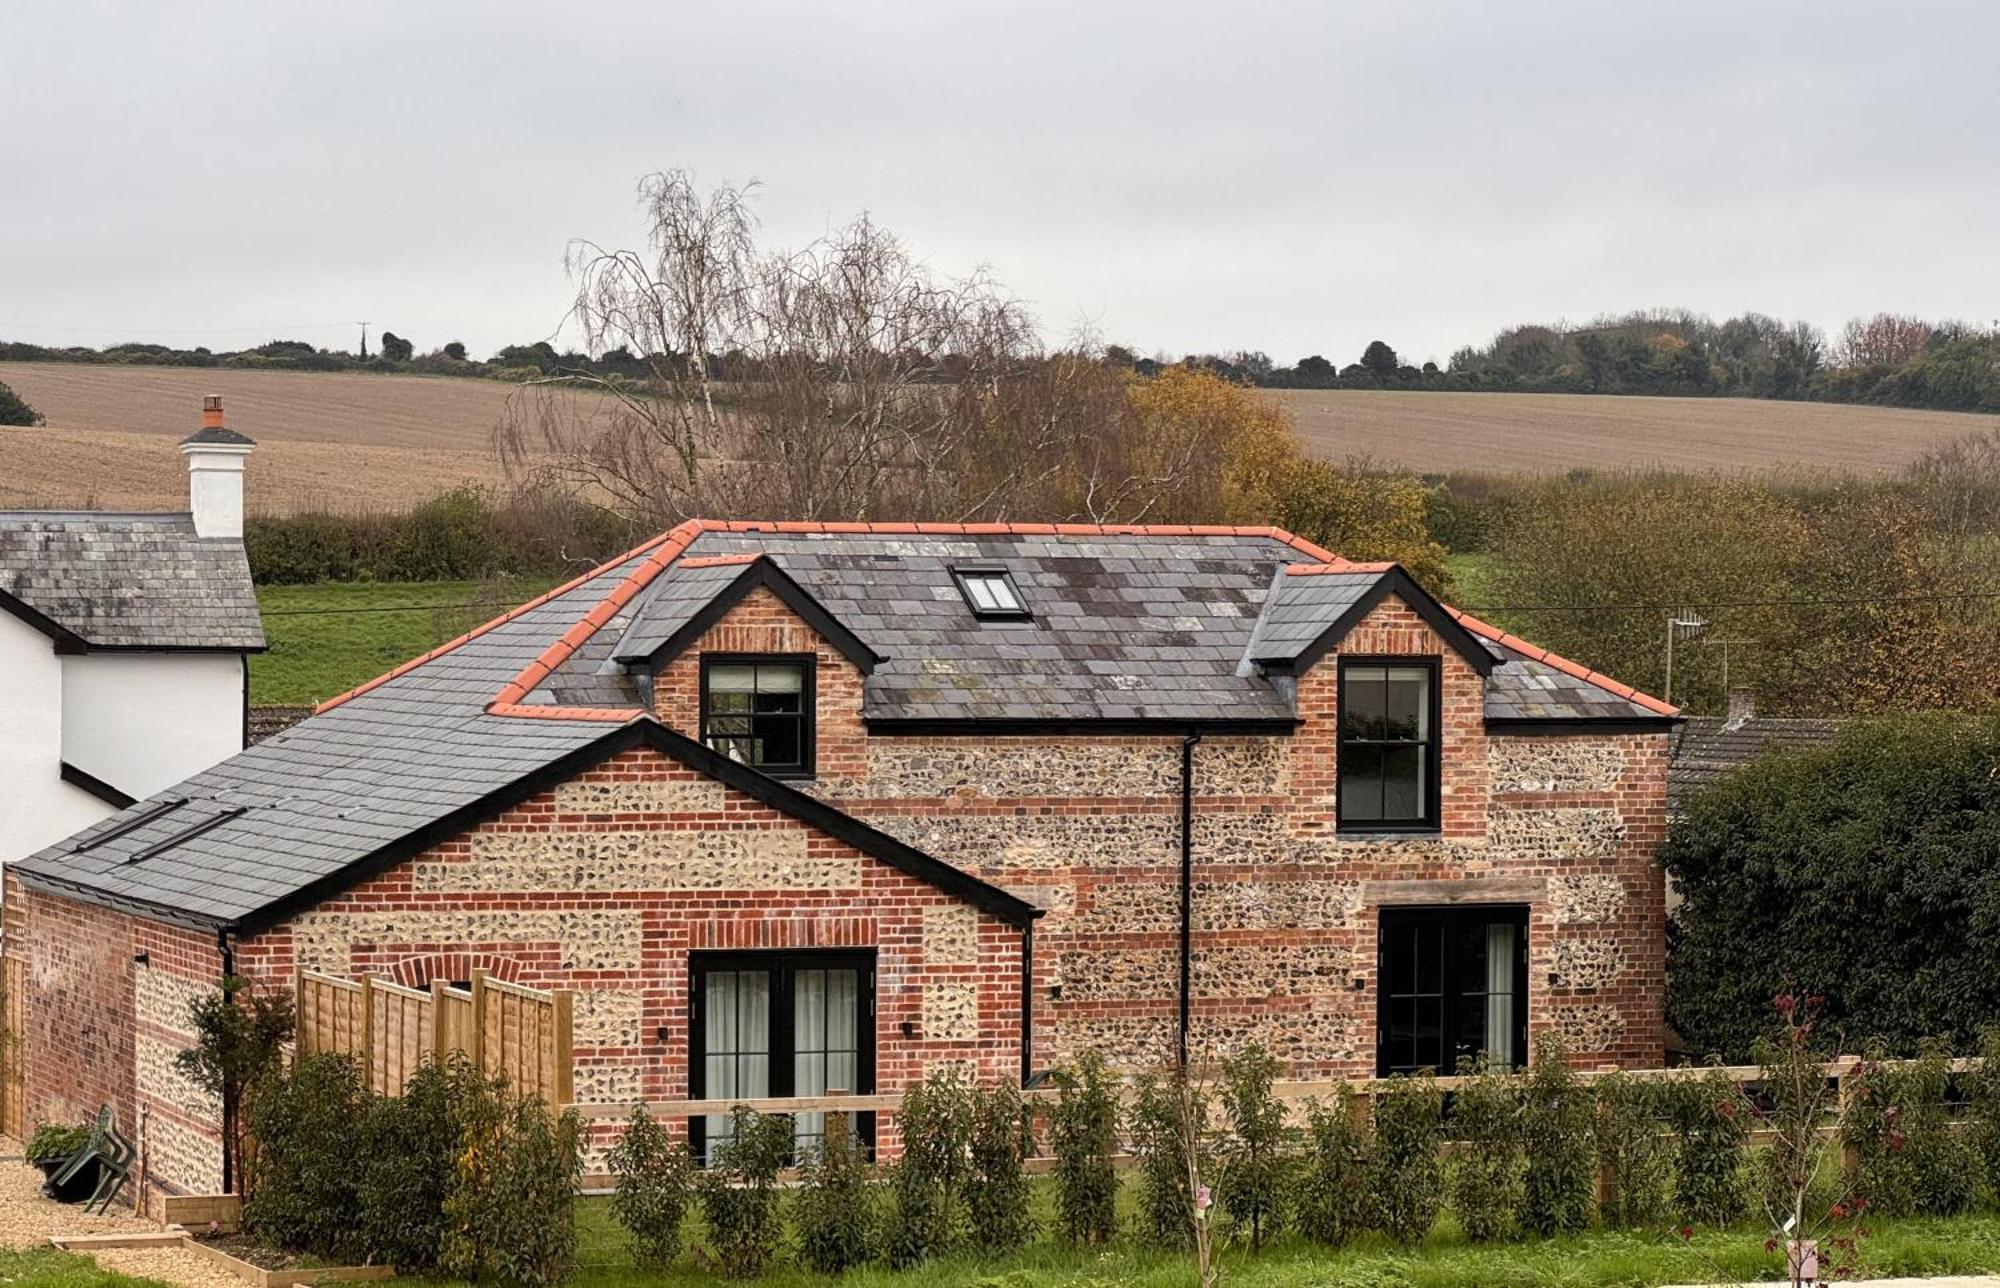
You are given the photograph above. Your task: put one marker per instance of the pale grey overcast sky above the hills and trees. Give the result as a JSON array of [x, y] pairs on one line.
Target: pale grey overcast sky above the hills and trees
[[1177, 177]]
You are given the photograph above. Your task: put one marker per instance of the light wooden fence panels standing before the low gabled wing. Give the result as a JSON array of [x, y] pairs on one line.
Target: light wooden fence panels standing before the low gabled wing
[[391, 1031]]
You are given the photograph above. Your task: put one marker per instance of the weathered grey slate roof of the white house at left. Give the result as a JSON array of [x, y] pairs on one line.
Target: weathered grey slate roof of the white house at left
[[129, 581]]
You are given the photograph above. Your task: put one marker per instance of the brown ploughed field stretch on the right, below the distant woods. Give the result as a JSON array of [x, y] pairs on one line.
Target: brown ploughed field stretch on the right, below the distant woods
[[1559, 433]]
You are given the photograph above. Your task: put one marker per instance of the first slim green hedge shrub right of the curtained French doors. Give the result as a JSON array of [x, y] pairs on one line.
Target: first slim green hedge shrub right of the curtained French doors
[[927, 1185]]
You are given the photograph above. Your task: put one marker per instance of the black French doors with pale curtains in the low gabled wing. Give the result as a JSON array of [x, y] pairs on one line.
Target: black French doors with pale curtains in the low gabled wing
[[781, 1025]]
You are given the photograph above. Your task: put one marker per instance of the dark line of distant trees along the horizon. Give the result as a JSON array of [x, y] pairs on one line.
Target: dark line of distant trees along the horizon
[[1887, 361]]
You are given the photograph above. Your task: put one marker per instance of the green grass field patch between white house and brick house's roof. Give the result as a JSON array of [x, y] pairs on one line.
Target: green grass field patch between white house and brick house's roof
[[329, 639]]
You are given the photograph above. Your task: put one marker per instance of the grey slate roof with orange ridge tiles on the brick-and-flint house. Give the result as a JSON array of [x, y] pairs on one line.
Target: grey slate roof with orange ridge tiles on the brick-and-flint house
[[1127, 627]]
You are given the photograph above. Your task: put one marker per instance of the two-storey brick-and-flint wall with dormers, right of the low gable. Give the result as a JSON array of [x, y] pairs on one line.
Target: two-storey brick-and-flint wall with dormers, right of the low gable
[[1285, 905]]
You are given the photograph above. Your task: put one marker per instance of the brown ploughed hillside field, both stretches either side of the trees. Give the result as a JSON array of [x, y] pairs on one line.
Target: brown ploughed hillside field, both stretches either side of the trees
[[383, 443]]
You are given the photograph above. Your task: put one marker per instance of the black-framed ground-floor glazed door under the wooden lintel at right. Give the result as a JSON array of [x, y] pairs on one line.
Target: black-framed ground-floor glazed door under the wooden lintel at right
[[1453, 983]]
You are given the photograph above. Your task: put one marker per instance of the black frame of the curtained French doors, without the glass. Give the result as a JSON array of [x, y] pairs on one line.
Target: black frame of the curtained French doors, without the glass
[[783, 965]]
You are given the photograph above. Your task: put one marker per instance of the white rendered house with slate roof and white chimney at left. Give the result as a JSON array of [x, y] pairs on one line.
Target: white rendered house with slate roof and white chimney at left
[[125, 647]]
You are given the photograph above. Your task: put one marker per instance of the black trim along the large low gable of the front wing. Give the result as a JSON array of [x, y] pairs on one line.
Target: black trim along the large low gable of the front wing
[[649, 733]]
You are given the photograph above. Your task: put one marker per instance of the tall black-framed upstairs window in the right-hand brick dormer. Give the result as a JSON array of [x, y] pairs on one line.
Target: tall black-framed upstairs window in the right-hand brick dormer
[[1389, 745]]
